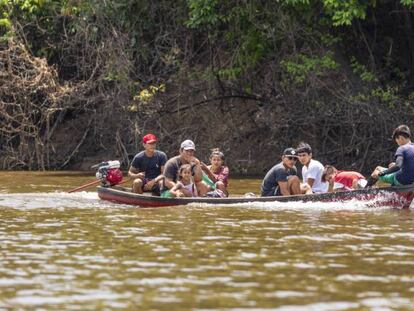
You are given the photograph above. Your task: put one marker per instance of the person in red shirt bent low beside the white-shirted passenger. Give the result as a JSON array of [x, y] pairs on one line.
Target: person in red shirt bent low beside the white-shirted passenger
[[342, 180]]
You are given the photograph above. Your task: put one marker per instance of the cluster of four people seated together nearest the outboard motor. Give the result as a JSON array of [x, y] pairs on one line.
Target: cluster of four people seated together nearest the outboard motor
[[181, 176]]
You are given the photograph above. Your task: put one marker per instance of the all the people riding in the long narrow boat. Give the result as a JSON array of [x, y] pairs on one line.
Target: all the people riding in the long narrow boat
[[186, 176]]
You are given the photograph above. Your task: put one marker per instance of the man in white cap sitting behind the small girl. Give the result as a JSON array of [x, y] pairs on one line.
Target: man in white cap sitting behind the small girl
[[171, 169]]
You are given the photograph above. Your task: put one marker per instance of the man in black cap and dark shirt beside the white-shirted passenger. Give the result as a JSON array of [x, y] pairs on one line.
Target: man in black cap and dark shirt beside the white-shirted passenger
[[282, 178]]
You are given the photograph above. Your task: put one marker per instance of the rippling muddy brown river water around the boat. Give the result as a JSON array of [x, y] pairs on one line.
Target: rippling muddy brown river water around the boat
[[62, 251]]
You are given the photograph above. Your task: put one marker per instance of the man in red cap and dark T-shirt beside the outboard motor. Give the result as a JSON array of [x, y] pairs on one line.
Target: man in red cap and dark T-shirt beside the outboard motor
[[146, 167]]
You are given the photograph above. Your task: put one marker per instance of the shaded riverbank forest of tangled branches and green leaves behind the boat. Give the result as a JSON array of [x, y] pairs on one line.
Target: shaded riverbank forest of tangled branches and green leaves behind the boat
[[83, 81]]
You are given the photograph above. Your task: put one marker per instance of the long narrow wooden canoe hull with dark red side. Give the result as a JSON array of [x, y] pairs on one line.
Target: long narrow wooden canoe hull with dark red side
[[397, 197]]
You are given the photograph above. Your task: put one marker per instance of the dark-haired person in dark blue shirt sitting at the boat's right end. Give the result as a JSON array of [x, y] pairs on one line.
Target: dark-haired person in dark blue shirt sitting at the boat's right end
[[401, 172]]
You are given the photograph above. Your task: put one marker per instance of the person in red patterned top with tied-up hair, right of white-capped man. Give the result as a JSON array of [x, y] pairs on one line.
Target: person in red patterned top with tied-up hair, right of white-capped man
[[217, 172]]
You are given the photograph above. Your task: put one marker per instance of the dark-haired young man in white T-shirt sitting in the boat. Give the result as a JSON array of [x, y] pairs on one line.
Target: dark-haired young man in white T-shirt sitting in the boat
[[312, 170]]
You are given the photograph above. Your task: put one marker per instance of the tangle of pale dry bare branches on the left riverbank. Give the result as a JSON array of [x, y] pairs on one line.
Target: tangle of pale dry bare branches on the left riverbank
[[30, 99]]
